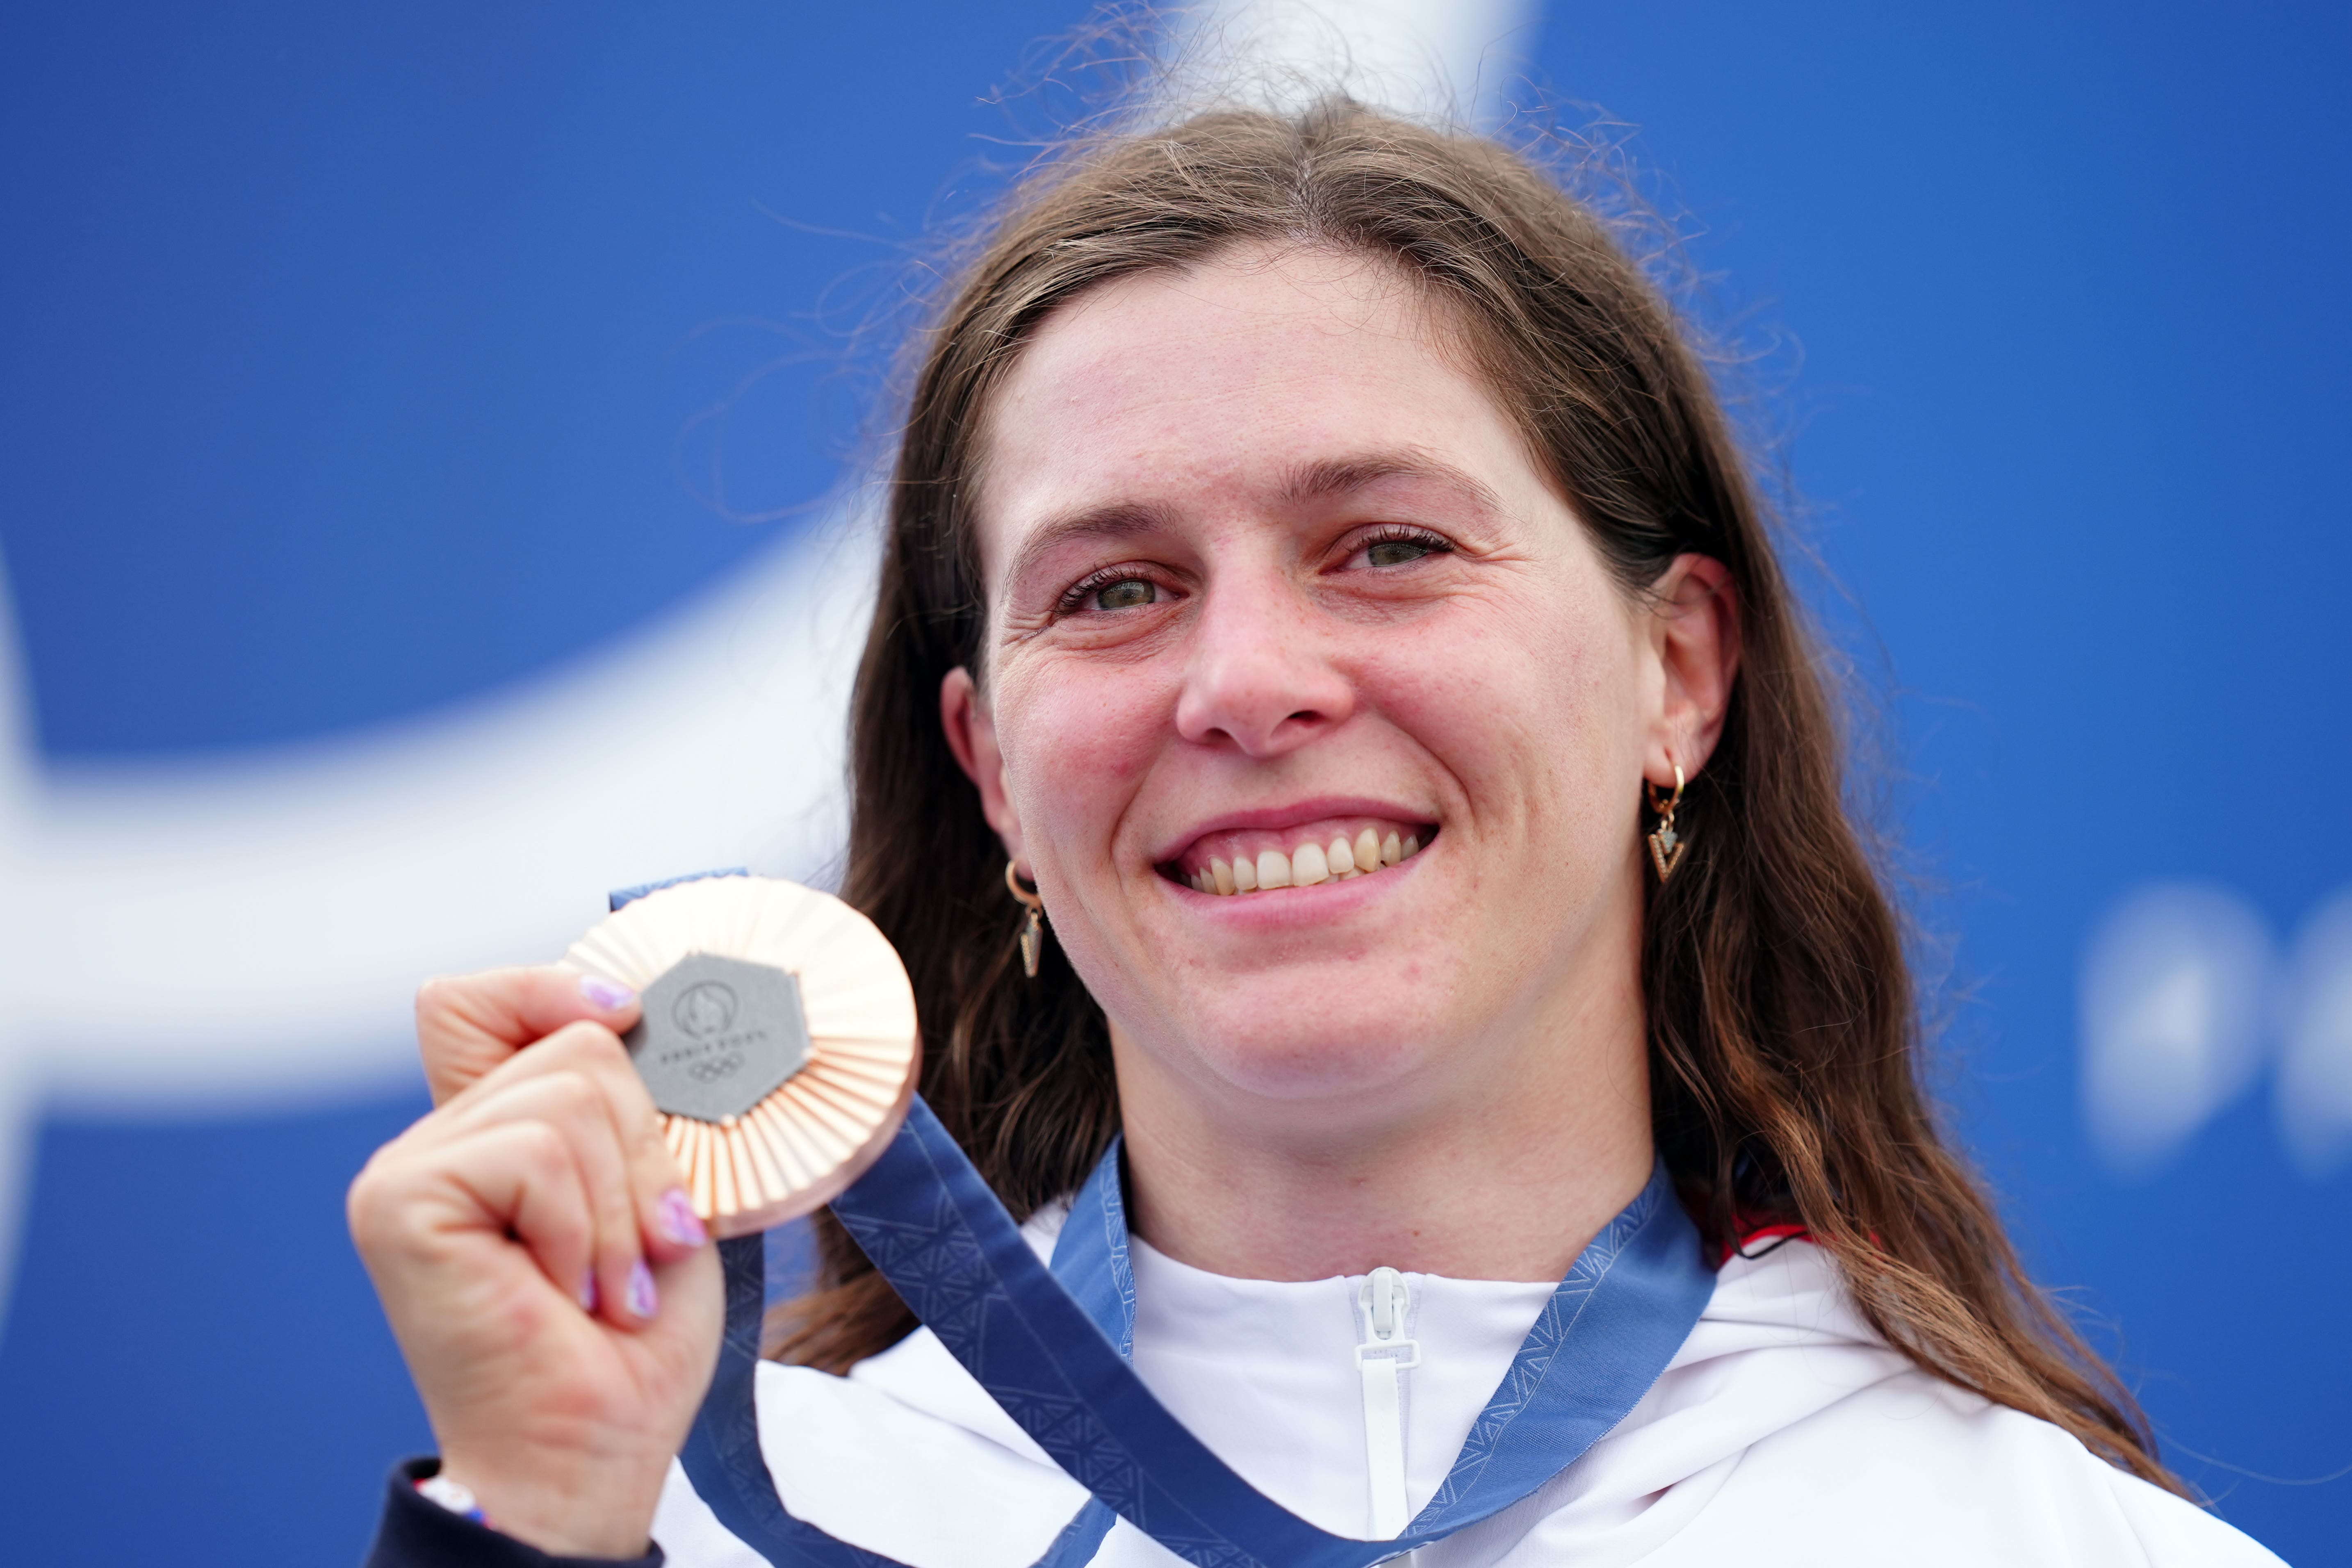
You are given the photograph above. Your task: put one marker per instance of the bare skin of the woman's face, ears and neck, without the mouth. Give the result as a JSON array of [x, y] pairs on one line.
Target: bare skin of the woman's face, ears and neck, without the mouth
[[1438, 1066]]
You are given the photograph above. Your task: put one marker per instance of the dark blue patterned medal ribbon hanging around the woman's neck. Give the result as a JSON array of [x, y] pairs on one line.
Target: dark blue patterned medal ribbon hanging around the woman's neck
[[1053, 1348]]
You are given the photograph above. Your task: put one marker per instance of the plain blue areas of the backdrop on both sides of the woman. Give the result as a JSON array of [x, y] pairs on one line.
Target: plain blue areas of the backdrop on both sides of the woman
[[354, 363]]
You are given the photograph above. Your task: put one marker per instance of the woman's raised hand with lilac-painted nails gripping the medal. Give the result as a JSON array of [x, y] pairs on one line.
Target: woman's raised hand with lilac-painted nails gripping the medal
[[540, 1264]]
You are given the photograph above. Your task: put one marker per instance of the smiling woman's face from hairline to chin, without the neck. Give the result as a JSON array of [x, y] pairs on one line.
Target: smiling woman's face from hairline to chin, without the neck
[[1274, 584]]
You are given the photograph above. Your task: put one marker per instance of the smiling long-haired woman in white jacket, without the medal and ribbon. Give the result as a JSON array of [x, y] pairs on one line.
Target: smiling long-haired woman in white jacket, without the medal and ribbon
[[1323, 572]]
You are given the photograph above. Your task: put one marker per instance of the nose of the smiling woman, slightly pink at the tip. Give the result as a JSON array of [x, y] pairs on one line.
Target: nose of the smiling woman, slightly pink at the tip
[[1259, 674]]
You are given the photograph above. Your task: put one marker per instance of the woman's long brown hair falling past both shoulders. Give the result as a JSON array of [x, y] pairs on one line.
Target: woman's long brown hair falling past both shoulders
[[1782, 1019]]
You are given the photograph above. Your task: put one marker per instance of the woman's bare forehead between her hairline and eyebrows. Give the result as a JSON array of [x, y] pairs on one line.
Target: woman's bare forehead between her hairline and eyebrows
[[1220, 384]]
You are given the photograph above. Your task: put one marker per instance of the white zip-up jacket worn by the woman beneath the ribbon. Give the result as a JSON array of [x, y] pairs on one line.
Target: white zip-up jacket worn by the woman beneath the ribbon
[[1782, 1433]]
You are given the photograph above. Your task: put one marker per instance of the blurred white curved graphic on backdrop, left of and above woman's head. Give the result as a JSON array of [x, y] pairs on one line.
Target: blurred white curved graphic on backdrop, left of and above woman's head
[[250, 932]]
